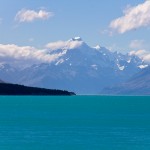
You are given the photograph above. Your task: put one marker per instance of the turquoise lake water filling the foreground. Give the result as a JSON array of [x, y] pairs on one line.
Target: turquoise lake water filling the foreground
[[75, 123]]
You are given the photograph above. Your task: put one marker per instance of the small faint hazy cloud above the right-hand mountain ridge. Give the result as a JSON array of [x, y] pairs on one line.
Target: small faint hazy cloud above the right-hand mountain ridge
[[137, 44]]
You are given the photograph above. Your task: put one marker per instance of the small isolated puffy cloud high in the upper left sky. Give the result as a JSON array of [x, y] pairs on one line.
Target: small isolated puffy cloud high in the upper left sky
[[25, 15]]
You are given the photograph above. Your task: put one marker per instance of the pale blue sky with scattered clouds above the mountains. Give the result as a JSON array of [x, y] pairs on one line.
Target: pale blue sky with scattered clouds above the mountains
[[122, 25]]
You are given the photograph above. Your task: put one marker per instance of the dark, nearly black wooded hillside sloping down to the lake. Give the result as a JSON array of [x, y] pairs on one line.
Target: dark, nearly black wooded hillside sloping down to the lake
[[14, 89]]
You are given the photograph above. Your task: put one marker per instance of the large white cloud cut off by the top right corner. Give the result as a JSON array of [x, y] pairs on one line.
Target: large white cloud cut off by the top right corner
[[134, 17]]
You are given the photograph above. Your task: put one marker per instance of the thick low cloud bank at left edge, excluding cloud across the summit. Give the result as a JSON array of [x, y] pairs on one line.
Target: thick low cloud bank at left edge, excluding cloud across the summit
[[25, 55]]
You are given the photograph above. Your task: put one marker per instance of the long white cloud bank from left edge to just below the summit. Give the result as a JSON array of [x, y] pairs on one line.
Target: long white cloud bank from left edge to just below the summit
[[24, 55]]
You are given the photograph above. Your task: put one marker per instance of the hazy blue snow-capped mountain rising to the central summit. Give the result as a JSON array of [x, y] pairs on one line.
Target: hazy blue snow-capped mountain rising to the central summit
[[79, 68]]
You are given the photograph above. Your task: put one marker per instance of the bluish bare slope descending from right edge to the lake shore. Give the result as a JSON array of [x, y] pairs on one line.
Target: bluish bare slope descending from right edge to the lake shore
[[138, 84]]
